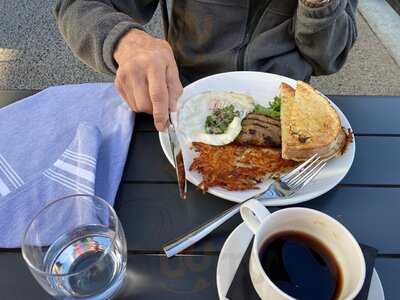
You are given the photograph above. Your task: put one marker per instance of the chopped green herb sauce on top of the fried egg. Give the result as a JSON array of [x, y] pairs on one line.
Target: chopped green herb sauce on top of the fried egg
[[219, 120]]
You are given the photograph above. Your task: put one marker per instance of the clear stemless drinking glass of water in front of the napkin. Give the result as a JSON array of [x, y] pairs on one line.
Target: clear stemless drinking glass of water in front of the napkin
[[75, 247]]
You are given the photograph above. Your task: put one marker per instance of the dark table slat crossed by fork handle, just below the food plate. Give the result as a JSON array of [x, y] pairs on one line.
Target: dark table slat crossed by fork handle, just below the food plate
[[153, 214]]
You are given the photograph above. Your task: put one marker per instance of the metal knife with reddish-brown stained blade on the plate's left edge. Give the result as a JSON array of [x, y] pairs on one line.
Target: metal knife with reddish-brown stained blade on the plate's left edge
[[176, 151]]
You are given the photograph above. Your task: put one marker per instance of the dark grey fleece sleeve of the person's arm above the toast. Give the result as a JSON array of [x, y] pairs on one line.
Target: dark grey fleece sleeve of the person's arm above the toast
[[324, 35]]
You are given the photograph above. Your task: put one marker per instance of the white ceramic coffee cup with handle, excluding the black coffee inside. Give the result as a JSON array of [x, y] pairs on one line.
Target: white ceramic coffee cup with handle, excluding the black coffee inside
[[319, 225]]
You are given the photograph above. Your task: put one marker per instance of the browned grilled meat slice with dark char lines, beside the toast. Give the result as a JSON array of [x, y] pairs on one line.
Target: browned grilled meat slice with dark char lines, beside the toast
[[260, 130]]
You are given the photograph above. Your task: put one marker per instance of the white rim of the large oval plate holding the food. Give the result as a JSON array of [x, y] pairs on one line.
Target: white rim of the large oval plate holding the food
[[163, 138]]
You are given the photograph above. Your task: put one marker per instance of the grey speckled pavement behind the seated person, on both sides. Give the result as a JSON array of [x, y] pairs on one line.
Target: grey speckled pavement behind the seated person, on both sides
[[33, 55]]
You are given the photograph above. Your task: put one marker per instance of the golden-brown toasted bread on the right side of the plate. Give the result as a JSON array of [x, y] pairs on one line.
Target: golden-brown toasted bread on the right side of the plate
[[309, 123]]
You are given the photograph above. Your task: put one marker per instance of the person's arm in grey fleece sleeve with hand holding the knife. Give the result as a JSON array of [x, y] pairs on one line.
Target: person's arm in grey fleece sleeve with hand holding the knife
[[108, 36]]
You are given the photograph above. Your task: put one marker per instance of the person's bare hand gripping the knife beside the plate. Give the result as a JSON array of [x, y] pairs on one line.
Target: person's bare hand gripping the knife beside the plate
[[147, 75]]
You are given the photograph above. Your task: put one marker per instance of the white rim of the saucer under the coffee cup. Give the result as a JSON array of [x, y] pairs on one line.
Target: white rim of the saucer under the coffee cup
[[375, 276]]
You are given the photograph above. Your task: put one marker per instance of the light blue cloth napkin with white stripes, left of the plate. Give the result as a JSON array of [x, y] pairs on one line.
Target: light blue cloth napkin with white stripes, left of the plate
[[64, 140]]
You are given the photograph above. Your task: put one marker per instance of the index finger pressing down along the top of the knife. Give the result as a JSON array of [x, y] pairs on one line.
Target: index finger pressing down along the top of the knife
[[159, 96]]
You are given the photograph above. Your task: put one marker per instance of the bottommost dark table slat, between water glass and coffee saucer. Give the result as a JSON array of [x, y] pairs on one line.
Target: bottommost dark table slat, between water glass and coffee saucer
[[148, 277]]
